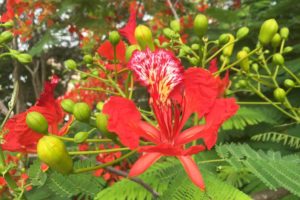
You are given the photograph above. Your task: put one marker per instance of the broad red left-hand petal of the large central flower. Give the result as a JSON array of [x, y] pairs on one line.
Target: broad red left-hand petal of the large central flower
[[124, 119]]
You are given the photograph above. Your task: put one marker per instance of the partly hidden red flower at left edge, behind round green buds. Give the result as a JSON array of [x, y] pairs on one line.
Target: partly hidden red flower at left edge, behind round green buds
[[21, 138]]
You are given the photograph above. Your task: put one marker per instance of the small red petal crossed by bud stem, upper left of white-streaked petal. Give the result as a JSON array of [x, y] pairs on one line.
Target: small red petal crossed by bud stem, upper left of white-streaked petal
[[106, 50]]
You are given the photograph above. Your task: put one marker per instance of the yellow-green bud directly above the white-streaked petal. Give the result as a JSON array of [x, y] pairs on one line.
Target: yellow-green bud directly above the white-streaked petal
[[143, 36]]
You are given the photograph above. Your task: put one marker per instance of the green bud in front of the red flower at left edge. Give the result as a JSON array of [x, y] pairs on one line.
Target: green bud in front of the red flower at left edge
[[37, 122]]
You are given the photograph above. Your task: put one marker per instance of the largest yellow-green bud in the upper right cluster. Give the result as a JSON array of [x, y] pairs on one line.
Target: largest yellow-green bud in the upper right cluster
[[267, 31]]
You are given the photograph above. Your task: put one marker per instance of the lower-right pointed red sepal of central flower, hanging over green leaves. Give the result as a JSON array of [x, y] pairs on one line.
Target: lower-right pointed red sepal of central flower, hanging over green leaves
[[192, 171]]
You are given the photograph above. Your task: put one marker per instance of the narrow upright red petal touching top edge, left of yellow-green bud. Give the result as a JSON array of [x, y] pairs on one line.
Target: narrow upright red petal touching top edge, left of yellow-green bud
[[128, 30]]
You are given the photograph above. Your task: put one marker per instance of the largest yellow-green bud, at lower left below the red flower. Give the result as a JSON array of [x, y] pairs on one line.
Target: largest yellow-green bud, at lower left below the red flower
[[53, 152]]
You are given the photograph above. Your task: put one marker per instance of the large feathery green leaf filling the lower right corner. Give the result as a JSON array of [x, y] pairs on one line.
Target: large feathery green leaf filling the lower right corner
[[273, 169]]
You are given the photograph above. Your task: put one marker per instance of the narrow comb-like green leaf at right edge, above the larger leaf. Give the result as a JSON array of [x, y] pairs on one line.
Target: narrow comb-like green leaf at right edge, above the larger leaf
[[284, 139]]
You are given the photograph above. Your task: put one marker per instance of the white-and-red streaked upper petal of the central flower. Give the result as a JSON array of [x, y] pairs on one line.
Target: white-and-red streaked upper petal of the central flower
[[159, 71]]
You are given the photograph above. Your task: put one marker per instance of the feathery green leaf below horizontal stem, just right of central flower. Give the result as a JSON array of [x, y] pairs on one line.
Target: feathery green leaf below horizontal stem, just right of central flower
[[250, 116]]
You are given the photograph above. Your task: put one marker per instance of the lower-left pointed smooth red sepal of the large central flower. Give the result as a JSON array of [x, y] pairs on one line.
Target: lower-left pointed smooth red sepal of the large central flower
[[143, 163]]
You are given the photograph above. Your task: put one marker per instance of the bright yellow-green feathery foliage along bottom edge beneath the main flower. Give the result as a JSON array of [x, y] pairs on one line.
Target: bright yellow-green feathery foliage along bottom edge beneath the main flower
[[170, 180]]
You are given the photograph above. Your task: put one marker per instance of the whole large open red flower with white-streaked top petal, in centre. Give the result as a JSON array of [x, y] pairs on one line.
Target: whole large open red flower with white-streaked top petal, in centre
[[175, 94]]
